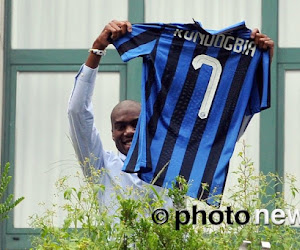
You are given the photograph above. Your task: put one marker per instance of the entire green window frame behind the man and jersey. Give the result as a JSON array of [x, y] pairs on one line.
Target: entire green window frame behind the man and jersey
[[271, 122]]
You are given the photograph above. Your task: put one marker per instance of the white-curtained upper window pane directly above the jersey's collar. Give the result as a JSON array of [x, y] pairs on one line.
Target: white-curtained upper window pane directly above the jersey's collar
[[212, 14]]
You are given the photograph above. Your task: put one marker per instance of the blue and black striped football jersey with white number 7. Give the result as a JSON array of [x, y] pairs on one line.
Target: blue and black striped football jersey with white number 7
[[200, 89]]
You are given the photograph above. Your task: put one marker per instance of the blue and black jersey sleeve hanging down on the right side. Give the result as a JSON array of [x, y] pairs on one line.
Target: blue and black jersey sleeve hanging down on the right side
[[260, 93]]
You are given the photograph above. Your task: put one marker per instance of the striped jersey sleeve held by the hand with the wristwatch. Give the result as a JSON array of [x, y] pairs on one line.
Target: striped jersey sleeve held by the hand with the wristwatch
[[139, 42]]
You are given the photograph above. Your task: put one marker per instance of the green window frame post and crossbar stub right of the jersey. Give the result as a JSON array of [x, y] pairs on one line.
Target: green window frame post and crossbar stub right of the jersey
[[272, 121]]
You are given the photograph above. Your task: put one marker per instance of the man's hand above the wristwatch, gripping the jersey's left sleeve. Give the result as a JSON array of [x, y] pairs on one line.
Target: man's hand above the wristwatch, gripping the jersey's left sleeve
[[112, 31]]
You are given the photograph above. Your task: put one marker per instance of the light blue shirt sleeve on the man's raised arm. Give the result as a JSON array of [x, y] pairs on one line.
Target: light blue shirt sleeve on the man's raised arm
[[84, 135]]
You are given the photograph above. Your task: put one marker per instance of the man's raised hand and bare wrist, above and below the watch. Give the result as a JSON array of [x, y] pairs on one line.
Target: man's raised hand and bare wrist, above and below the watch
[[112, 31]]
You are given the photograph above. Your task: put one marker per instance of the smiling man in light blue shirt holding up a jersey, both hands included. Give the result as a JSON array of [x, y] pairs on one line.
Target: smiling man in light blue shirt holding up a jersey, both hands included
[[86, 138]]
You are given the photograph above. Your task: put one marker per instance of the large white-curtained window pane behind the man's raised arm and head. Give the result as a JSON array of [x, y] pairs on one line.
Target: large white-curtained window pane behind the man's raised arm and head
[[44, 152]]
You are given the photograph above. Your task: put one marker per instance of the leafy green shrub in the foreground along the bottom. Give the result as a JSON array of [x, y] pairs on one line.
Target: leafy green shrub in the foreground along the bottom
[[133, 227]]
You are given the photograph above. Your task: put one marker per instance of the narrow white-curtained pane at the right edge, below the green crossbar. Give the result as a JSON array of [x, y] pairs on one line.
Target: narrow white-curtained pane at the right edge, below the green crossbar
[[291, 129]]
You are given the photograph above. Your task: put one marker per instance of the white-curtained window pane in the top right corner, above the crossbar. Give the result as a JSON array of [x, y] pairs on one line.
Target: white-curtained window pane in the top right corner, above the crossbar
[[289, 19]]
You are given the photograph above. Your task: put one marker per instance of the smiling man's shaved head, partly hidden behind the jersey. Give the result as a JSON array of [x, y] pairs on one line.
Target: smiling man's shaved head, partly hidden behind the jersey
[[124, 118]]
